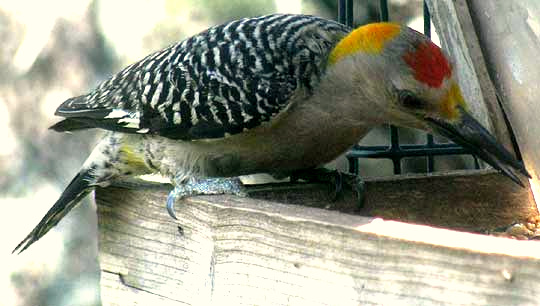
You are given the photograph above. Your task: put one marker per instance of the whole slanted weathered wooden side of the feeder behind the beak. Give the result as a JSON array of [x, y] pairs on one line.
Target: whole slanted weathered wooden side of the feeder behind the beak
[[495, 46]]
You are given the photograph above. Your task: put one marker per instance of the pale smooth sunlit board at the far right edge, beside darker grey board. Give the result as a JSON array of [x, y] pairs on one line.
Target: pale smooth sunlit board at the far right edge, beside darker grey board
[[509, 34]]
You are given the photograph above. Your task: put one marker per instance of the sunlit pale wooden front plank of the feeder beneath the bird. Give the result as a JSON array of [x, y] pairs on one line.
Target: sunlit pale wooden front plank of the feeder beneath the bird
[[230, 250]]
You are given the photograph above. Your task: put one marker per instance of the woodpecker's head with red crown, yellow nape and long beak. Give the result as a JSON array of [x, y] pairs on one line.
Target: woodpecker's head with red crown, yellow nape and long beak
[[411, 82]]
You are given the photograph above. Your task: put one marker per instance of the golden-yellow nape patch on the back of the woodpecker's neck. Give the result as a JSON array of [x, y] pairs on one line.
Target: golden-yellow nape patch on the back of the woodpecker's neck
[[370, 38]]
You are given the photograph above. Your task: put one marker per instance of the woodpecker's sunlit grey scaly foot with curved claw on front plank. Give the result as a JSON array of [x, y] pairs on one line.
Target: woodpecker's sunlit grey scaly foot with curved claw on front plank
[[204, 186]]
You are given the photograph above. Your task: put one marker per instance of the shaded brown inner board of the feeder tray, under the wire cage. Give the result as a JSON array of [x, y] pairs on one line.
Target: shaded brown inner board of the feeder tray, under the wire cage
[[472, 200]]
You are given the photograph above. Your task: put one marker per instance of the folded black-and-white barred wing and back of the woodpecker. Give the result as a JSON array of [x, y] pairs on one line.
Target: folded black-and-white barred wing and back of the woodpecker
[[222, 81]]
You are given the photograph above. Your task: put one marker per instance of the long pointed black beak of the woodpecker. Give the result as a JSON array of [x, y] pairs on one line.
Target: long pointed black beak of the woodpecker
[[471, 135]]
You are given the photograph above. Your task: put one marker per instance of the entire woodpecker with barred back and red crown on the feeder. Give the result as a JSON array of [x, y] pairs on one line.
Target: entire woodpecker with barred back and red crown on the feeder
[[273, 94]]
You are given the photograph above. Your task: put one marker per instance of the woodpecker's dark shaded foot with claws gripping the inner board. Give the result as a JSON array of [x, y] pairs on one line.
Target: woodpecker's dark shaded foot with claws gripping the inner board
[[337, 179]]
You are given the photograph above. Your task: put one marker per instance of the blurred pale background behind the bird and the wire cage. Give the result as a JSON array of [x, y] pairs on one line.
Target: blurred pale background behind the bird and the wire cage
[[52, 50]]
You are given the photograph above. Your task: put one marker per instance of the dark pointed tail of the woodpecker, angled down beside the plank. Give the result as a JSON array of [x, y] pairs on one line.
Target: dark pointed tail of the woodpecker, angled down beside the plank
[[79, 187]]
